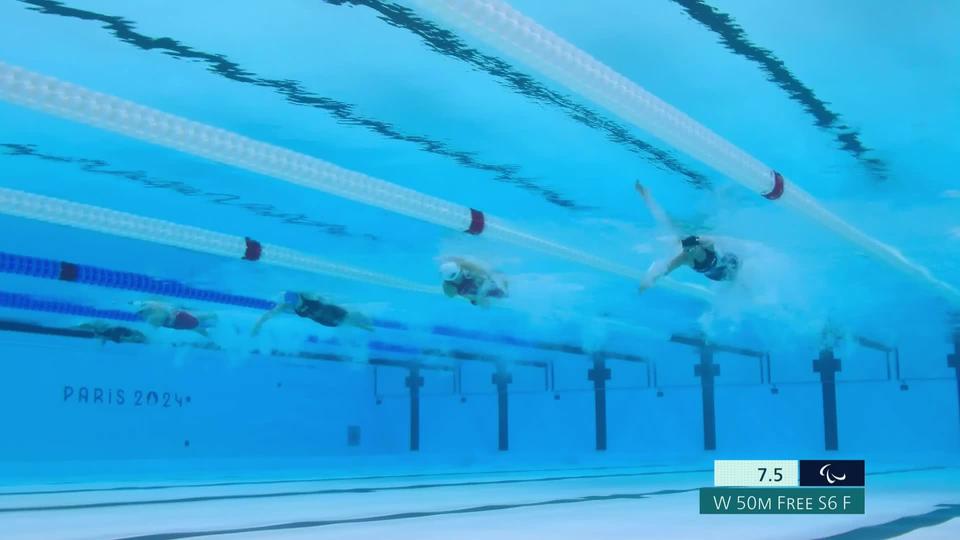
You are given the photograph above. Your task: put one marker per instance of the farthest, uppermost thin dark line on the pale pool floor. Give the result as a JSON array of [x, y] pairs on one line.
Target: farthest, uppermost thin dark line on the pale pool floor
[[311, 480]]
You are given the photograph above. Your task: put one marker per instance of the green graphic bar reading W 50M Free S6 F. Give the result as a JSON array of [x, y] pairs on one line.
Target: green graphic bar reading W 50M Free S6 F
[[732, 500]]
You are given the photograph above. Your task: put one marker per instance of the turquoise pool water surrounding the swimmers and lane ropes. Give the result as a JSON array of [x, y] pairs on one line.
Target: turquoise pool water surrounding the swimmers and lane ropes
[[854, 102]]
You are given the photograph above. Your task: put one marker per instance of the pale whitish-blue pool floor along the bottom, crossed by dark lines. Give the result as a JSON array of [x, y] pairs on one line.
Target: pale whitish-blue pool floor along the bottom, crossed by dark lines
[[919, 502]]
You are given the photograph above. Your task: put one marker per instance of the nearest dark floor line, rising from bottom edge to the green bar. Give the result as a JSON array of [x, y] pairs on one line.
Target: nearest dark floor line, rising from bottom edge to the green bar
[[406, 515]]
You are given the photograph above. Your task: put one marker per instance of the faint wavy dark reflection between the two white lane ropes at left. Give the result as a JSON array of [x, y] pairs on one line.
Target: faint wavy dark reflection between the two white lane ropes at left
[[101, 167]]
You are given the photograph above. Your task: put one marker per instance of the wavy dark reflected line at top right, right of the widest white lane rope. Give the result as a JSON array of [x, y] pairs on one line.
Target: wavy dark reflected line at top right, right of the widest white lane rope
[[735, 39]]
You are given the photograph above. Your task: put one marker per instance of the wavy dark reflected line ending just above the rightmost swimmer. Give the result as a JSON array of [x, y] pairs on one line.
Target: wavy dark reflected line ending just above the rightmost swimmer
[[449, 44]]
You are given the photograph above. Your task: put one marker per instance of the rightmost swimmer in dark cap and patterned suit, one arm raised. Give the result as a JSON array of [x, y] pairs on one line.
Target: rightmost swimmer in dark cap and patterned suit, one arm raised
[[697, 252]]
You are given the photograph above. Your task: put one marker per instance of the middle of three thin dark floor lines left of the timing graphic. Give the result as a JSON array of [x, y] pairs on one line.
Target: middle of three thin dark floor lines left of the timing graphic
[[339, 491]]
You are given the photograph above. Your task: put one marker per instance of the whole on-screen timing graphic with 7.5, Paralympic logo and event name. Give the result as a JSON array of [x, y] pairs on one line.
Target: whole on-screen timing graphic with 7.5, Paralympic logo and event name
[[785, 487]]
